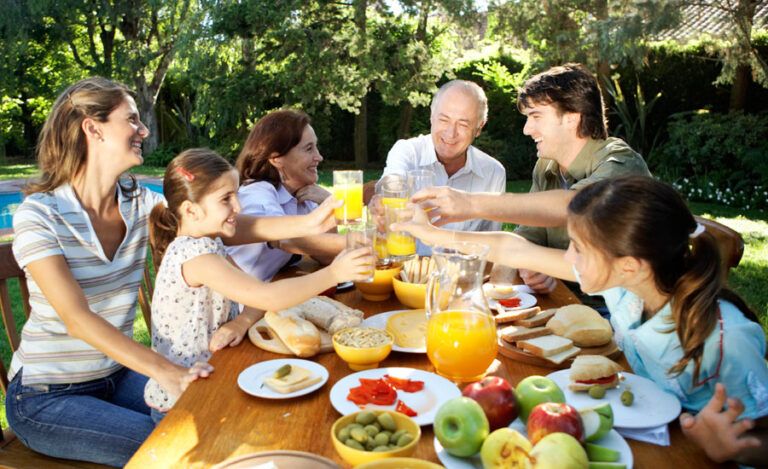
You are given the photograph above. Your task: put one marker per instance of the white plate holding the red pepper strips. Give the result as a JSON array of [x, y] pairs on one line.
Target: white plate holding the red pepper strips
[[436, 391]]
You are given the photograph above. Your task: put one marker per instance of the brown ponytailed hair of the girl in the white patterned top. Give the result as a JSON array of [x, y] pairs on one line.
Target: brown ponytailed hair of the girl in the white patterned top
[[189, 176]]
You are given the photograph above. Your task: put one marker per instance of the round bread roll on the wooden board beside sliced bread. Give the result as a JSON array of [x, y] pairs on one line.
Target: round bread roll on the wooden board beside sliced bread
[[582, 324]]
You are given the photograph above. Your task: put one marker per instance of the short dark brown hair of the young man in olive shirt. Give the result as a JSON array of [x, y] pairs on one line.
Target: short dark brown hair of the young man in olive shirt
[[569, 88]]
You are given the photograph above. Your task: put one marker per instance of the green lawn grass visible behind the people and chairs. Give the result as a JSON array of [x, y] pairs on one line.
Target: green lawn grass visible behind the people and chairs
[[749, 279]]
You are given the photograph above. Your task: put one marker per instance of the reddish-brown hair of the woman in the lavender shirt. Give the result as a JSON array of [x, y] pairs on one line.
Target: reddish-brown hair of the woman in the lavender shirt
[[275, 133]]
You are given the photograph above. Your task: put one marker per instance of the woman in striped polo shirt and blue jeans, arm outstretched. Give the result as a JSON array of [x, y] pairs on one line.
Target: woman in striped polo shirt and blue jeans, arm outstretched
[[77, 380]]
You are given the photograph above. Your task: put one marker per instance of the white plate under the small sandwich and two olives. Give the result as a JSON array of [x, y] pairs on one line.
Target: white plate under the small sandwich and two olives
[[652, 406]]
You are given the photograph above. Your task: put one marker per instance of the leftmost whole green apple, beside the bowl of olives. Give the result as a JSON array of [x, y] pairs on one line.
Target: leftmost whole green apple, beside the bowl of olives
[[461, 426]]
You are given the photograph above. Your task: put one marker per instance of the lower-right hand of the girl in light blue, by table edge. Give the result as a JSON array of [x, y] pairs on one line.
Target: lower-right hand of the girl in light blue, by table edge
[[717, 431]]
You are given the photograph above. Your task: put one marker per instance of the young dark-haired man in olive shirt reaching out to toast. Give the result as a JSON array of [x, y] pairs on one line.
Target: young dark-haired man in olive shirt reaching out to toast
[[566, 118]]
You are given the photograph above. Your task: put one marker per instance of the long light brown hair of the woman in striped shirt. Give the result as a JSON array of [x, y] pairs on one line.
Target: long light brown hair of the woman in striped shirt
[[62, 147]]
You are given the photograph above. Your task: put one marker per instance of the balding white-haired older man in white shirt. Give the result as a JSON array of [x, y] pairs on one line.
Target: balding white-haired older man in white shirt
[[459, 112]]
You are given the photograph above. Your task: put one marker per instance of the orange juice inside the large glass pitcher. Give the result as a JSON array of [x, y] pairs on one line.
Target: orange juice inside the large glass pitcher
[[461, 344]]
